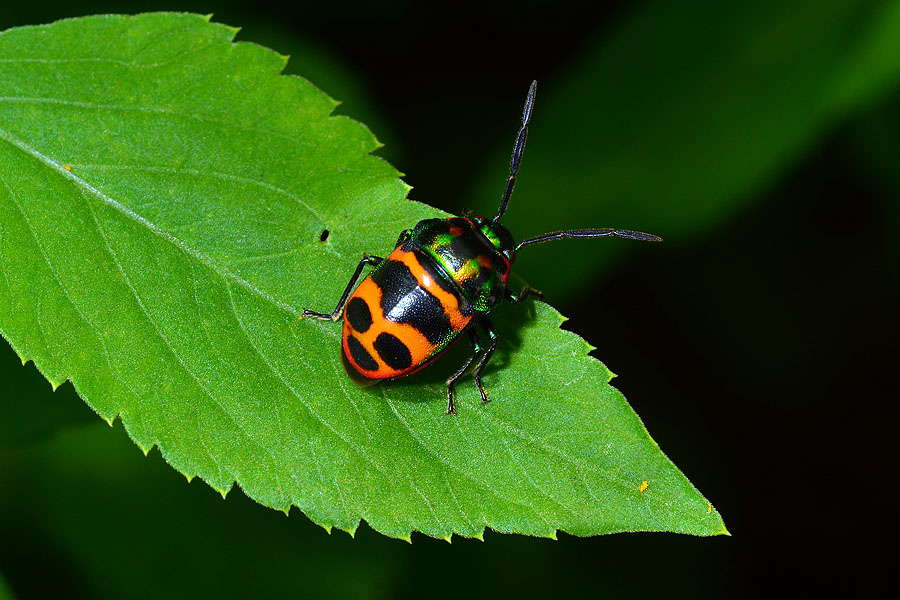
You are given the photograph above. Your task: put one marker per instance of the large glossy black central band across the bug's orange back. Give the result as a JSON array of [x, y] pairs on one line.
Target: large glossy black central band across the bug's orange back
[[403, 300]]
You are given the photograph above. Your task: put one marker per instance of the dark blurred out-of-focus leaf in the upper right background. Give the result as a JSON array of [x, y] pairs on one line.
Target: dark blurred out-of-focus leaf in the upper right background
[[674, 124]]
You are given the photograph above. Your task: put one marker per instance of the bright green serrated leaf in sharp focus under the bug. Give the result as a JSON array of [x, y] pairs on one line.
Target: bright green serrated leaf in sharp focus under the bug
[[163, 192]]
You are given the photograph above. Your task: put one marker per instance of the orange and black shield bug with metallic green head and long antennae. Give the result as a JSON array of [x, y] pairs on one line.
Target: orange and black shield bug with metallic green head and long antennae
[[442, 279]]
